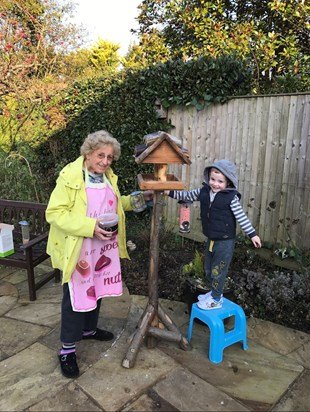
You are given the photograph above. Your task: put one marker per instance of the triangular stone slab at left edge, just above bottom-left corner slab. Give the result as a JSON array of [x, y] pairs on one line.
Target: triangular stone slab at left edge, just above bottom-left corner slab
[[17, 335]]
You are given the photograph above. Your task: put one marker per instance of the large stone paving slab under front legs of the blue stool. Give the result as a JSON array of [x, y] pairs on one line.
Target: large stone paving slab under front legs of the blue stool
[[242, 372]]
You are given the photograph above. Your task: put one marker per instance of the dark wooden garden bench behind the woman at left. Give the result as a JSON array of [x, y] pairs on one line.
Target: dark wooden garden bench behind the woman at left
[[33, 253]]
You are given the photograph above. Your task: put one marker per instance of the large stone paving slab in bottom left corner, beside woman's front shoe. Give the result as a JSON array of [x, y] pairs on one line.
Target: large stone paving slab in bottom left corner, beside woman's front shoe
[[28, 377]]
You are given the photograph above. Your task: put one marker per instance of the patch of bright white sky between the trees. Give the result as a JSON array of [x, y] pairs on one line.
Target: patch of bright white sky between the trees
[[109, 19]]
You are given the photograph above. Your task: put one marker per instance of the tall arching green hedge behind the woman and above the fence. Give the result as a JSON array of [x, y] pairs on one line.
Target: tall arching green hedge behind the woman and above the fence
[[123, 104]]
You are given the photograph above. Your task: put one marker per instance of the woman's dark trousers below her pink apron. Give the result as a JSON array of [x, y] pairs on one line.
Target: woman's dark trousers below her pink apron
[[74, 323]]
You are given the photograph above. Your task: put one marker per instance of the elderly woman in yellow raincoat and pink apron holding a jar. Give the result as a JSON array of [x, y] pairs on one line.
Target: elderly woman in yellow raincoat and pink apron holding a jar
[[86, 240]]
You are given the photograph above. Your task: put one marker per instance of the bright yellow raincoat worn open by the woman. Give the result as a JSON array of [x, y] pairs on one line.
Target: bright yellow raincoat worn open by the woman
[[66, 214]]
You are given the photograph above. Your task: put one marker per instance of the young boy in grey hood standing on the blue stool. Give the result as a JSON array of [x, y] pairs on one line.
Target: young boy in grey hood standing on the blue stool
[[220, 208]]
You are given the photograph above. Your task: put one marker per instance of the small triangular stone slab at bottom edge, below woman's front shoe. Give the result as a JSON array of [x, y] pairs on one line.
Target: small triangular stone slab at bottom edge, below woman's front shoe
[[71, 398]]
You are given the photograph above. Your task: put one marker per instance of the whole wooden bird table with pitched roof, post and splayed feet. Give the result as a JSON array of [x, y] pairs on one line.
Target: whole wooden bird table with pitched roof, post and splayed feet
[[160, 151]]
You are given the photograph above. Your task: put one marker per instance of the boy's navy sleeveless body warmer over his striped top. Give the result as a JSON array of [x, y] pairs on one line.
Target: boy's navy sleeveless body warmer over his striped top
[[218, 221]]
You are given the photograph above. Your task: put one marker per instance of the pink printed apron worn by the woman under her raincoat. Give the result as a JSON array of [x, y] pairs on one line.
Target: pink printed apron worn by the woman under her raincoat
[[98, 271]]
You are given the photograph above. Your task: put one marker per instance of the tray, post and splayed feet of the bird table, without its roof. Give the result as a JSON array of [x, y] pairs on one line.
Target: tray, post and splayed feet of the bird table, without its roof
[[154, 315]]
